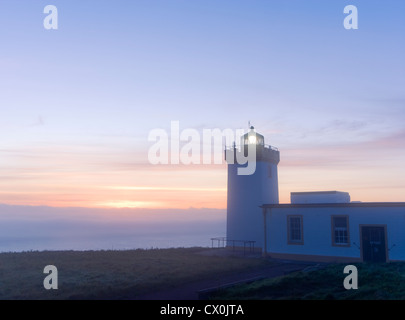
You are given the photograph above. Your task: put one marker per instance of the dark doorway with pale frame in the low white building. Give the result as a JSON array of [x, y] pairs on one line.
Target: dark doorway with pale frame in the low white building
[[374, 243]]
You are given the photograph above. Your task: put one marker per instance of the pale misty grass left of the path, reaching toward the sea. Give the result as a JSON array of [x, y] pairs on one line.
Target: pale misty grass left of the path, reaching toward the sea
[[110, 274]]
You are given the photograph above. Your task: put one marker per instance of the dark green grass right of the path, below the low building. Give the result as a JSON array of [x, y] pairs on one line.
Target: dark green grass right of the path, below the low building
[[375, 282]]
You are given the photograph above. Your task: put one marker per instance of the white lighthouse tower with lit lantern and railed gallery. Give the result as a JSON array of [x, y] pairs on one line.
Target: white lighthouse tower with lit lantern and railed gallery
[[247, 192]]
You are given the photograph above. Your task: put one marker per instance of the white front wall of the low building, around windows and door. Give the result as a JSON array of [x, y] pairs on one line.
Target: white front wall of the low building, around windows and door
[[317, 230]]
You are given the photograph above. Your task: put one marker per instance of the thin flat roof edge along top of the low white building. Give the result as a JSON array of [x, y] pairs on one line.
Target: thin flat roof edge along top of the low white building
[[334, 205]]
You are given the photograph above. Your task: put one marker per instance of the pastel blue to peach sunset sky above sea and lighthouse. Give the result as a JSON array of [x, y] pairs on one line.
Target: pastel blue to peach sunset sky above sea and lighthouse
[[77, 103]]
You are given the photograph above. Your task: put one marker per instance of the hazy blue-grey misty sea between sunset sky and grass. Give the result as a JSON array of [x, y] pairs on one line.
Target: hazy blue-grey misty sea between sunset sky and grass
[[40, 228]]
